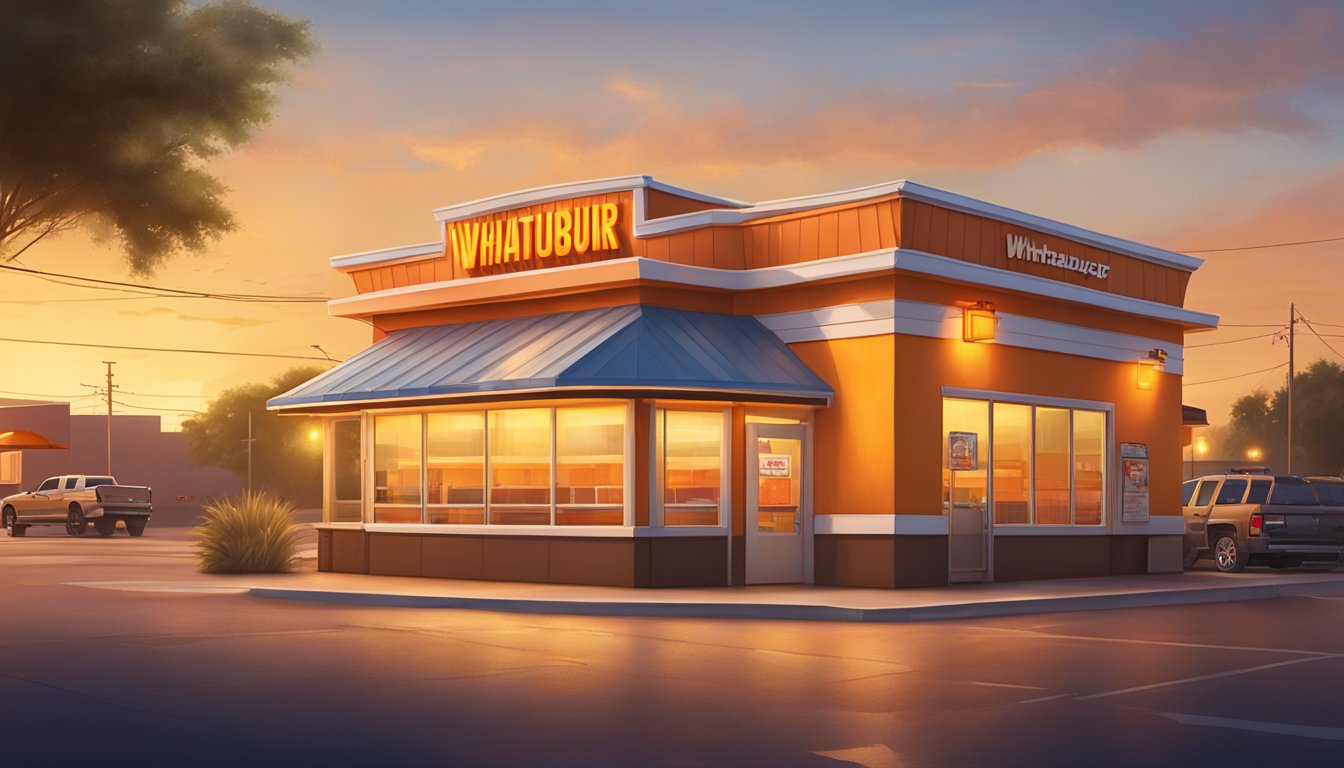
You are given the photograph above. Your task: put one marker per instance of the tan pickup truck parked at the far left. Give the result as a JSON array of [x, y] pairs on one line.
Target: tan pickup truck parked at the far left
[[76, 501]]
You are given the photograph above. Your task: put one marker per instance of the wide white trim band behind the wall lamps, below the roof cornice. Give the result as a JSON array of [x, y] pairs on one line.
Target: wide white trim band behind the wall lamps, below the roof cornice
[[943, 322]]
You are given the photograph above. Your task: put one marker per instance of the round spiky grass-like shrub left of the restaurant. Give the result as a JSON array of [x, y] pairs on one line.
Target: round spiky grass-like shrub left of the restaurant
[[253, 533]]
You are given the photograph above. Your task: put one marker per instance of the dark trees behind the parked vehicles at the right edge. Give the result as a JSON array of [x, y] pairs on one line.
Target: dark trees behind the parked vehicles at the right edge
[[1260, 420]]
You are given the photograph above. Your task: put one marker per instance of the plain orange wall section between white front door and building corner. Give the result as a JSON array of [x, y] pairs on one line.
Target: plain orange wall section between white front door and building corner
[[854, 438]]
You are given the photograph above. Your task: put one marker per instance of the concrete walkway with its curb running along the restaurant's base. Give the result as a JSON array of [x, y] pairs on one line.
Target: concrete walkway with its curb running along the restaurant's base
[[794, 602]]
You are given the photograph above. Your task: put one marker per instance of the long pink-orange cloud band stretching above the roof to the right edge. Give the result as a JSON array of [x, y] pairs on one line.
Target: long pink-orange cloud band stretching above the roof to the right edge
[[1224, 80]]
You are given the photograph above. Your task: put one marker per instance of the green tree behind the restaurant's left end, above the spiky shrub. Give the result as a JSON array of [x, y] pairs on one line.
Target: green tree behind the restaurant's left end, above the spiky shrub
[[286, 459]]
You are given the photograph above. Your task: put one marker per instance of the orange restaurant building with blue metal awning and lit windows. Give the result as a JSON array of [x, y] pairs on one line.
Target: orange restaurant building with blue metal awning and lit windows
[[623, 383]]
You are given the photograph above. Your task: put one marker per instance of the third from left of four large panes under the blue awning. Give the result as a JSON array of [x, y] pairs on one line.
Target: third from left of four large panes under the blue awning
[[521, 467]]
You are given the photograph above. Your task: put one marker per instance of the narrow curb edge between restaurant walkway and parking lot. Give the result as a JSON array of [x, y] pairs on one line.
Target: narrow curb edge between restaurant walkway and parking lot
[[794, 611]]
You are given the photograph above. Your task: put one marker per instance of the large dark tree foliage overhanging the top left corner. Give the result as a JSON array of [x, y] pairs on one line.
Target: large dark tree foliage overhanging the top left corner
[[108, 111]]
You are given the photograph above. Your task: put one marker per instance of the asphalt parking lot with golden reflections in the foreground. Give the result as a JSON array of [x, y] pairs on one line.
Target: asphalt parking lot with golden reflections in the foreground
[[208, 677]]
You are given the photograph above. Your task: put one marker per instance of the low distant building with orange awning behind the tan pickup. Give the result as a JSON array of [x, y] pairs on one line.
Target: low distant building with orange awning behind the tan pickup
[[142, 454]]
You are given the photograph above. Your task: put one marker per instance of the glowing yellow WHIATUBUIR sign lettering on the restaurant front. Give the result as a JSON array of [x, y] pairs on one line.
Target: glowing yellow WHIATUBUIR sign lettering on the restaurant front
[[577, 231]]
